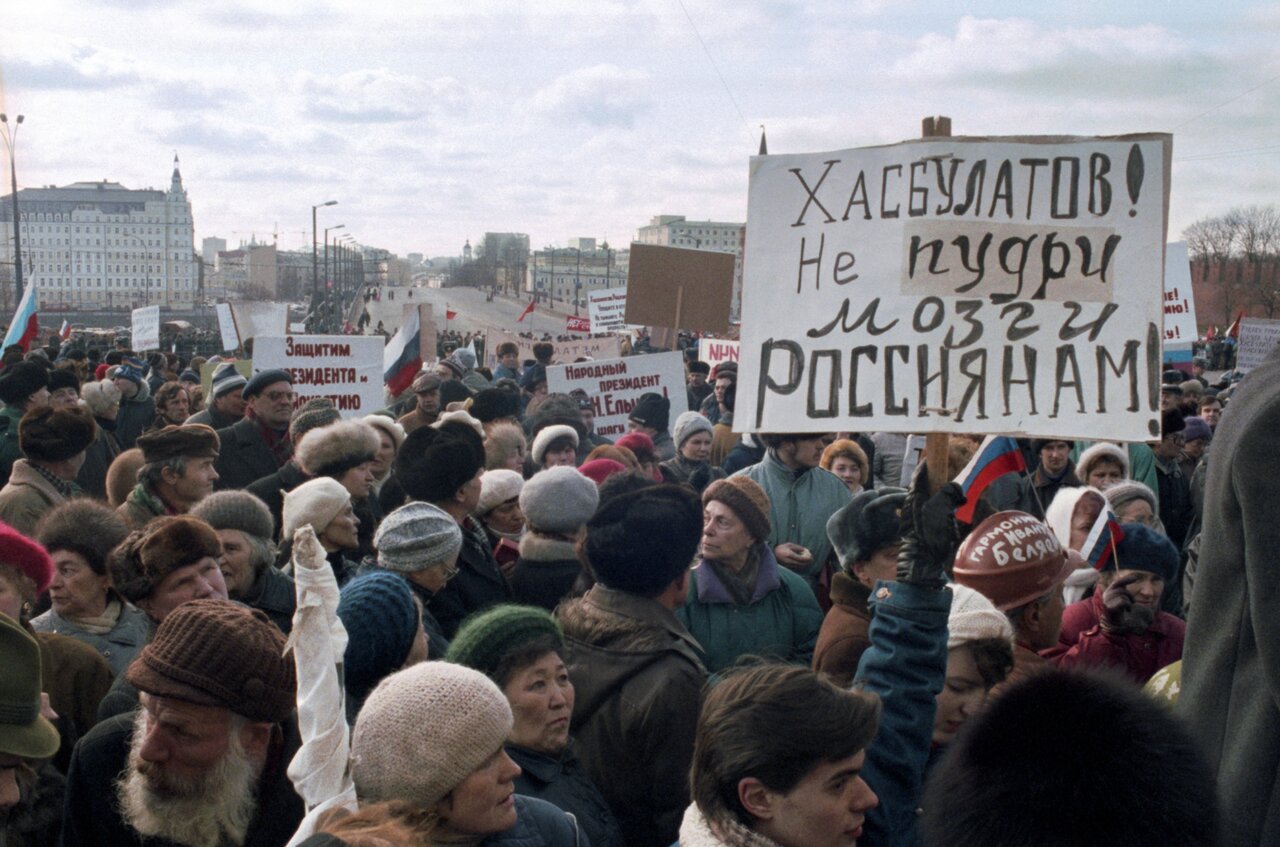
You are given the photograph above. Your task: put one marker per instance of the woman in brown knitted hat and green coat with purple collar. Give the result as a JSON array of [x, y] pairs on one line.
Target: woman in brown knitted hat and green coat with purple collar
[[740, 599]]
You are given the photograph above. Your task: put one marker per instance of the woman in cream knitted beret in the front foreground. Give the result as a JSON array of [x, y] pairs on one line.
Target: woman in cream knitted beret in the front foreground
[[433, 738]]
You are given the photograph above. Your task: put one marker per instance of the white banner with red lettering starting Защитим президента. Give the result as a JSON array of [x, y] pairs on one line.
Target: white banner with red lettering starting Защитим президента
[[346, 369]]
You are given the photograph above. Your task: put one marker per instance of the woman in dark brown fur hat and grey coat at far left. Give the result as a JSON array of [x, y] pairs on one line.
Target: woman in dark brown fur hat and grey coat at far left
[[80, 537]]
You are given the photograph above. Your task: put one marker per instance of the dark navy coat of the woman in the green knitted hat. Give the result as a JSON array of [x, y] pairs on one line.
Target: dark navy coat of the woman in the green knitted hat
[[563, 782]]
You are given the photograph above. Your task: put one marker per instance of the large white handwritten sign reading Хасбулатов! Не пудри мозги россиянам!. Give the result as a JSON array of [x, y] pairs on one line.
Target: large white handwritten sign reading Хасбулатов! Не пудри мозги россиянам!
[[958, 286]]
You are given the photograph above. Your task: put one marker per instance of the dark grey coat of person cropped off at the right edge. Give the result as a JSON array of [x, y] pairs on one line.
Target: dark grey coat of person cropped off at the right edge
[[1232, 654]]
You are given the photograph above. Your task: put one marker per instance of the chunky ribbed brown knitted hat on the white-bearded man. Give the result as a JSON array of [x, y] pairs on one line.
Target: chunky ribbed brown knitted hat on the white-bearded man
[[218, 653]]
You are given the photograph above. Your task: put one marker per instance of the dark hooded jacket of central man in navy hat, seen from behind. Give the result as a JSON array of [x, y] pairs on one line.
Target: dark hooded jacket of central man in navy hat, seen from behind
[[639, 679]]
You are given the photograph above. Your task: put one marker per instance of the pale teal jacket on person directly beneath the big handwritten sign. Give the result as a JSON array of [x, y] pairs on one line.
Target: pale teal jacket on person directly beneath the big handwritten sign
[[802, 503]]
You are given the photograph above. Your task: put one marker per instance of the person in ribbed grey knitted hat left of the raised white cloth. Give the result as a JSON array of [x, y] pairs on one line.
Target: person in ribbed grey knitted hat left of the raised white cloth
[[245, 526]]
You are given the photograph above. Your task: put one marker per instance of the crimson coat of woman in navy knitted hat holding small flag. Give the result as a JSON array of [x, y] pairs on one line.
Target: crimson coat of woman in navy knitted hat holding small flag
[[1140, 656]]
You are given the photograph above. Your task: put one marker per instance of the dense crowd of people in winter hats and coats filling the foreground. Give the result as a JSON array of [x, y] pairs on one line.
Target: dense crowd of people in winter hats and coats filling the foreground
[[232, 619]]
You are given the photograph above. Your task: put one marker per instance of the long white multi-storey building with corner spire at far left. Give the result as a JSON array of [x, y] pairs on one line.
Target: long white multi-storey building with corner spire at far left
[[103, 246]]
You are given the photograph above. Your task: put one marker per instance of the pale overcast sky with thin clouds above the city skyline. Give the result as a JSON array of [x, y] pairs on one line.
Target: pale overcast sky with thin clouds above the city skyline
[[436, 122]]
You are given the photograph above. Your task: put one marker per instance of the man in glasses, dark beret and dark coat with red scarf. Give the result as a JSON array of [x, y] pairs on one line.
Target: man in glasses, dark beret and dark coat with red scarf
[[259, 445]]
